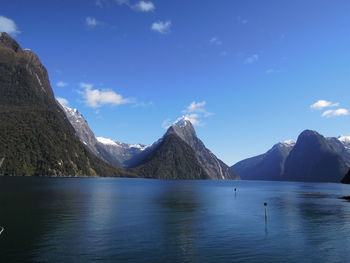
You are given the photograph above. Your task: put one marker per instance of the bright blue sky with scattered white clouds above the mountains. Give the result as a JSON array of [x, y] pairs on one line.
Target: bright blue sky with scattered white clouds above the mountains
[[246, 71]]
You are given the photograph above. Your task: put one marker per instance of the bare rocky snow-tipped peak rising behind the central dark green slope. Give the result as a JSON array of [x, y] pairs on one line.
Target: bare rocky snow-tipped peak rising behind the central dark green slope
[[214, 167]]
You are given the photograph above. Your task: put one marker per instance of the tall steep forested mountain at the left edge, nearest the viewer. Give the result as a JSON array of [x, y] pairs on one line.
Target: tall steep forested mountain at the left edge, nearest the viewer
[[35, 137]]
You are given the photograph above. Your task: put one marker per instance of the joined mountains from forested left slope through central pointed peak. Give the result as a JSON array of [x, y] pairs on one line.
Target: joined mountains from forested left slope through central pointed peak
[[38, 136]]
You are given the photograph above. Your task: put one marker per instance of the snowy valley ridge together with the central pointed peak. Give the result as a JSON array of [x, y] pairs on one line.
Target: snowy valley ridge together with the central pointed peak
[[162, 159]]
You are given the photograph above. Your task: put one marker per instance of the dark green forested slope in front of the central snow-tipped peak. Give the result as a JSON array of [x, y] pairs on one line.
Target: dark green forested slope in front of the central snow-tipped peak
[[172, 159]]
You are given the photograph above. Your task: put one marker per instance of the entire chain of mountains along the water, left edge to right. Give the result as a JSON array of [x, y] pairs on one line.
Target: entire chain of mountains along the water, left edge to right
[[40, 137]]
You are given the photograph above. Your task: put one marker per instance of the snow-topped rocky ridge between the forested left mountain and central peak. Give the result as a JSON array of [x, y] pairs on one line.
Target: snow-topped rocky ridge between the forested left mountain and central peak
[[111, 151]]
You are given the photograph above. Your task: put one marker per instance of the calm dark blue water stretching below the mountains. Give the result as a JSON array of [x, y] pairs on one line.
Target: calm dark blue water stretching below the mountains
[[137, 220]]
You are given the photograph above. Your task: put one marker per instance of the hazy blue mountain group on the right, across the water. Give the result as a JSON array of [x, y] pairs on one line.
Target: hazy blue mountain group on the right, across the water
[[312, 158]]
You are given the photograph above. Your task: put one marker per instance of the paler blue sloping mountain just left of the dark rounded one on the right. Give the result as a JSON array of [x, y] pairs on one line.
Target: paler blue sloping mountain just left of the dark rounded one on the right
[[267, 166]]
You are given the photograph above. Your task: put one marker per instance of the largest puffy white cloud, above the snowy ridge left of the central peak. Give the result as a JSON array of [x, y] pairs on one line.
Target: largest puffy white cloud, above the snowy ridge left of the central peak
[[96, 98]]
